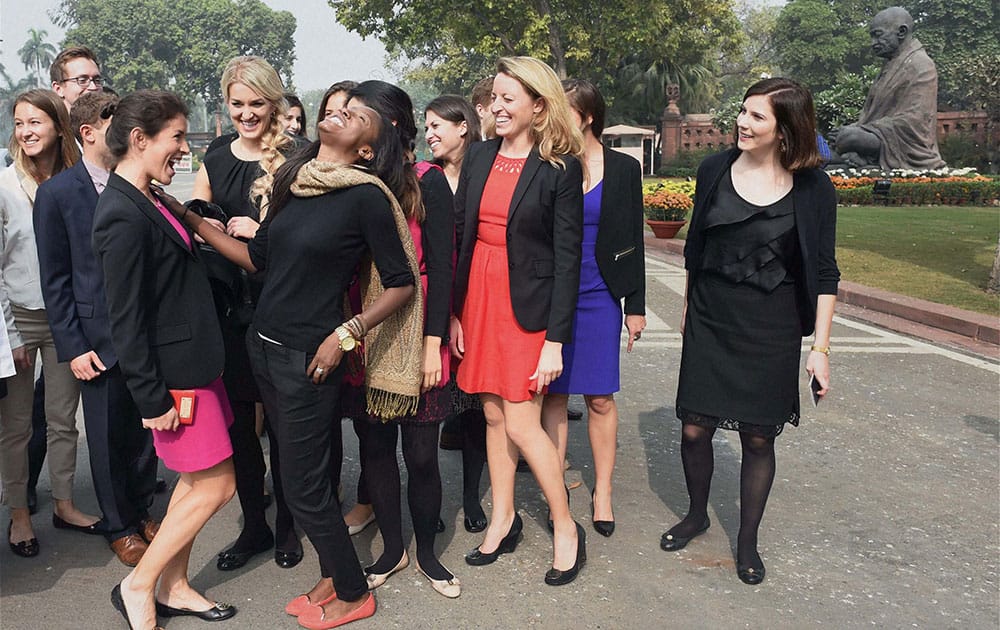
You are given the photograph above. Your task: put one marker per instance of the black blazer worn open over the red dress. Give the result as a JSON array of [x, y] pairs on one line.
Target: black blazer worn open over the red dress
[[544, 232]]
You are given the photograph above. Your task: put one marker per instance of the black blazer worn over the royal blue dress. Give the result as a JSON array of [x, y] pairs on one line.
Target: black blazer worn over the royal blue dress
[[620, 251]]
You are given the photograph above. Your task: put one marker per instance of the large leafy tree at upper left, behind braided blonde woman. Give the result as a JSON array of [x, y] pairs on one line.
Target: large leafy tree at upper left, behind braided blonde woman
[[180, 45]]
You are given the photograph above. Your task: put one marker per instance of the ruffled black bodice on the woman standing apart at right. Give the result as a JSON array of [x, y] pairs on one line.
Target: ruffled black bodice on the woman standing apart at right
[[746, 243]]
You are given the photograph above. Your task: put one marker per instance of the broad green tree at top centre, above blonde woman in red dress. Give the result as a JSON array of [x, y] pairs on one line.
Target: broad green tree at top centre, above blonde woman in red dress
[[578, 38]]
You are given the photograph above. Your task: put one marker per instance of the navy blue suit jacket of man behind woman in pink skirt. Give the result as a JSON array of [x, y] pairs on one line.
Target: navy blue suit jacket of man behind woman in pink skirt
[[72, 281]]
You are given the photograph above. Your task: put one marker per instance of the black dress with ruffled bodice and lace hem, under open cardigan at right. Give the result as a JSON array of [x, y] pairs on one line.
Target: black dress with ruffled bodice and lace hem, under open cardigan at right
[[743, 335]]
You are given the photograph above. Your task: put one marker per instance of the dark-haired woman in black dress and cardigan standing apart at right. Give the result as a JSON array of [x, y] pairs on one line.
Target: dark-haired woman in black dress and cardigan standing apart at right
[[761, 275]]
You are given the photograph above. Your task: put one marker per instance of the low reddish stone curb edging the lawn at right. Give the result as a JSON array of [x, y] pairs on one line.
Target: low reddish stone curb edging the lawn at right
[[948, 318]]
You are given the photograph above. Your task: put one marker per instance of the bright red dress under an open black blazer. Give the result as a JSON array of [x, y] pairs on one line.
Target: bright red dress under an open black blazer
[[500, 355]]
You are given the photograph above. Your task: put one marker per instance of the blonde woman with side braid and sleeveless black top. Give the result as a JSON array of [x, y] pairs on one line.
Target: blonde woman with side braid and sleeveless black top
[[238, 169]]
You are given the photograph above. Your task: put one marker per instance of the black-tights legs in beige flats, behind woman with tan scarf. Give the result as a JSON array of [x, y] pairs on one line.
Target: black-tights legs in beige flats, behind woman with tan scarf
[[423, 490]]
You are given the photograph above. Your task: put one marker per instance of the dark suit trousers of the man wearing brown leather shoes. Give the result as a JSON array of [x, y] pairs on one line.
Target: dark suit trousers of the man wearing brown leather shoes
[[122, 459]]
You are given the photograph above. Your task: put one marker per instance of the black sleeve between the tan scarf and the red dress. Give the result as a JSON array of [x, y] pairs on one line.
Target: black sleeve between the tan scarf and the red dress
[[437, 234]]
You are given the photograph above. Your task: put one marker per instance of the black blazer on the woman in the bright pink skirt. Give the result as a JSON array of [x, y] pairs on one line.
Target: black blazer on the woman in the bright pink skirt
[[163, 321]]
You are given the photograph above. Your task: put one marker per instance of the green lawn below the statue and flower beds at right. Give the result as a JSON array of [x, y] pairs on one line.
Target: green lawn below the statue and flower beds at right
[[939, 253]]
